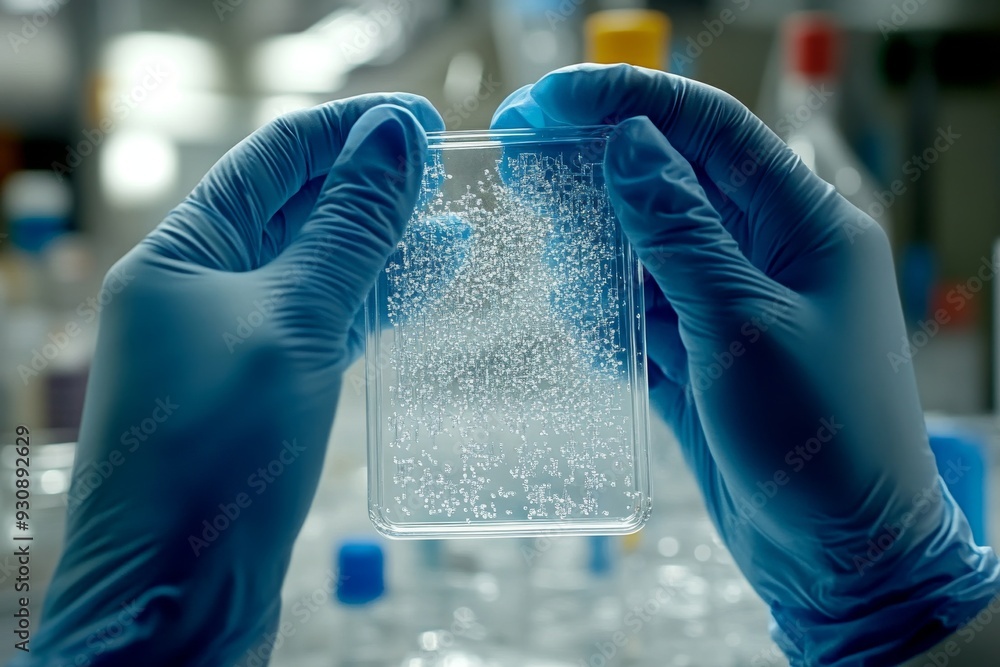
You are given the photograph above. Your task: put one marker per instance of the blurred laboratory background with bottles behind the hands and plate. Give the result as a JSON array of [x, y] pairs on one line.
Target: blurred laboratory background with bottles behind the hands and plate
[[111, 111]]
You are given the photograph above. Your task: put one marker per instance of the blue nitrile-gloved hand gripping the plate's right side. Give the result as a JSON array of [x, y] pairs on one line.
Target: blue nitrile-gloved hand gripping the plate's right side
[[775, 331]]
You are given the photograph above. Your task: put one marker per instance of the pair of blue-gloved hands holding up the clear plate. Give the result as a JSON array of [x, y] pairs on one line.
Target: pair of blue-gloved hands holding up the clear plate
[[769, 322]]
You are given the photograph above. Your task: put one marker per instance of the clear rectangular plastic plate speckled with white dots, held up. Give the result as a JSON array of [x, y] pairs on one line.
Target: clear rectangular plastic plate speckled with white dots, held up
[[506, 376]]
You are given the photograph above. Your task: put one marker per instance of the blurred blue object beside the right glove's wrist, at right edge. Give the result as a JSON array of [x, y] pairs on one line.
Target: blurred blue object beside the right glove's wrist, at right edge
[[961, 462]]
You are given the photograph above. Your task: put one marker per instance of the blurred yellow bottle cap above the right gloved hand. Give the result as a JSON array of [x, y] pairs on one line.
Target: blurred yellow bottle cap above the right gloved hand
[[633, 36]]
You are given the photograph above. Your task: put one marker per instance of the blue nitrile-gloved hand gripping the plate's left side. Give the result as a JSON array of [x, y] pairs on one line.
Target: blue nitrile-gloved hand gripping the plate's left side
[[212, 393]]
